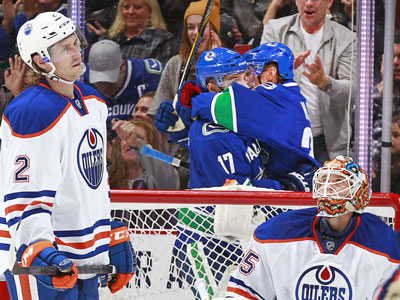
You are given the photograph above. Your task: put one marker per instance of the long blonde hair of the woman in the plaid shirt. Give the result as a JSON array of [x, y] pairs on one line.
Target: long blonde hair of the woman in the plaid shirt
[[156, 20]]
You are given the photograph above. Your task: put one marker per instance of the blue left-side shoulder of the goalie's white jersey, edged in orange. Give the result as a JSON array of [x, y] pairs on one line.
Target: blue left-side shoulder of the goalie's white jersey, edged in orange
[[290, 225]]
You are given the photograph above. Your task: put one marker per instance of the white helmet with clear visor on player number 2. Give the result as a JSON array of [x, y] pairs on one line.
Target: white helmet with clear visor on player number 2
[[38, 35]]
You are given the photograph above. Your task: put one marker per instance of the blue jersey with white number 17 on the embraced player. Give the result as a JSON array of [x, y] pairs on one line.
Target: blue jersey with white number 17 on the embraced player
[[217, 153]]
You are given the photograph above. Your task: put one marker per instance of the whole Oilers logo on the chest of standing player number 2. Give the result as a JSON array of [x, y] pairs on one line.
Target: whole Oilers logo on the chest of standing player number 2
[[91, 158]]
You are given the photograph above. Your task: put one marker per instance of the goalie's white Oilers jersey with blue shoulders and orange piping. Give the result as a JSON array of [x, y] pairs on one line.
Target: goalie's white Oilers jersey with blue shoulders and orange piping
[[288, 258]]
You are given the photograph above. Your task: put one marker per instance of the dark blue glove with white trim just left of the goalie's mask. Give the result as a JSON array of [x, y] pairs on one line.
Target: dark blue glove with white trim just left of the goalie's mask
[[299, 180]]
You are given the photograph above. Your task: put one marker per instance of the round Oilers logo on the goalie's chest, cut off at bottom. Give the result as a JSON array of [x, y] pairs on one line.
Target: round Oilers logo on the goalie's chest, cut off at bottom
[[322, 283]]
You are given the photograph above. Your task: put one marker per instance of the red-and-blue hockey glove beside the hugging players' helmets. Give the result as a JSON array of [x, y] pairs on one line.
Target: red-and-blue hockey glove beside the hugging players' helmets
[[183, 107]]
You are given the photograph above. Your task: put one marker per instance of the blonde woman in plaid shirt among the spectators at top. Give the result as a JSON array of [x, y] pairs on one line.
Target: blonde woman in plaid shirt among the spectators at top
[[140, 30]]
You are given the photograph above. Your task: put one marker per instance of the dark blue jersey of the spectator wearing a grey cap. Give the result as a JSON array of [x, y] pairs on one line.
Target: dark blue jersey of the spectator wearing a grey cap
[[142, 76]]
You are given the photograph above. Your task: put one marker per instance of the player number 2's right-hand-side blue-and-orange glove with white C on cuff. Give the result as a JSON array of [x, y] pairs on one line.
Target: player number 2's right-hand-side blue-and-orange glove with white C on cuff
[[122, 256]]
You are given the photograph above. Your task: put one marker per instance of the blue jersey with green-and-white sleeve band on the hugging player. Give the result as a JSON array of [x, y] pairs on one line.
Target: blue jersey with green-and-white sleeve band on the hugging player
[[275, 114]]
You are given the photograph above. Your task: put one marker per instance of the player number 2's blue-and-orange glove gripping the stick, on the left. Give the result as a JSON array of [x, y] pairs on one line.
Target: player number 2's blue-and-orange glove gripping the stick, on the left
[[44, 254]]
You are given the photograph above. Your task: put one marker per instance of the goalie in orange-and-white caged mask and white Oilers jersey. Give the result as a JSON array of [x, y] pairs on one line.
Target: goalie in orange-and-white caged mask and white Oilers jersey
[[333, 251]]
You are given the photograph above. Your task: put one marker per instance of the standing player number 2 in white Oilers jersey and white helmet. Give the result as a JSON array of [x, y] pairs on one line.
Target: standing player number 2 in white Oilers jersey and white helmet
[[52, 167]]
